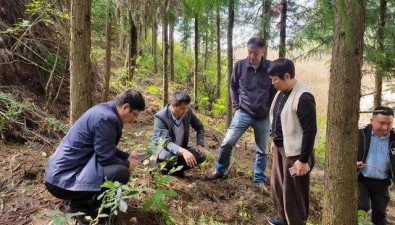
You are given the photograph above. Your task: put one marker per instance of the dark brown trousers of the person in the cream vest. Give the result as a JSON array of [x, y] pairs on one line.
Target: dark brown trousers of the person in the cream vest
[[290, 194]]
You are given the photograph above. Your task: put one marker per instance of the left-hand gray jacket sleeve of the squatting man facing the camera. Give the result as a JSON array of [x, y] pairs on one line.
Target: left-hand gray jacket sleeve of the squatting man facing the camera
[[161, 137]]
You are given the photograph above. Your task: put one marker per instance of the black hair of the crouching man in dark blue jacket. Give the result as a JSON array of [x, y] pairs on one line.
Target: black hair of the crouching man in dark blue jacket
[[133, 97]]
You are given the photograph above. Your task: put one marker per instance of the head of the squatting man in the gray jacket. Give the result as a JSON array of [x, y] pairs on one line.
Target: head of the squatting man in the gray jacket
[[180, 102]]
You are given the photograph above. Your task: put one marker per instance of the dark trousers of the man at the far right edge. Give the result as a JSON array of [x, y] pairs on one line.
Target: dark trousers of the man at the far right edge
[[376, 192]]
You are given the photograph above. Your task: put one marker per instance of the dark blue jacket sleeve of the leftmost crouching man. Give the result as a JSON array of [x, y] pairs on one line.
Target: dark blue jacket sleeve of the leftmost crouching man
[[105, 143]]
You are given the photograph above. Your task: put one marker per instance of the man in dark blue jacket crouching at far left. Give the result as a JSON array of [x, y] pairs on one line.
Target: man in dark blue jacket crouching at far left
[[87, 155]]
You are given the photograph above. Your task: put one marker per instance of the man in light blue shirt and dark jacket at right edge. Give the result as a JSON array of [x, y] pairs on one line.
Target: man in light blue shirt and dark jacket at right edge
[[376, 163]]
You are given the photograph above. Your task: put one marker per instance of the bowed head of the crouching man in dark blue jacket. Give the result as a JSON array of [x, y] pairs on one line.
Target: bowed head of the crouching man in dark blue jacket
[[129, 104]]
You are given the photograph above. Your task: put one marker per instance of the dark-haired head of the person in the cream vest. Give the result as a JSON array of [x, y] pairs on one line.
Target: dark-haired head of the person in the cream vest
[[282, 72]]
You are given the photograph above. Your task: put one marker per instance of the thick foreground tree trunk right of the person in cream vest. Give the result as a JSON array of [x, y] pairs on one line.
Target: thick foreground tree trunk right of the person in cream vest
[[340, 196]]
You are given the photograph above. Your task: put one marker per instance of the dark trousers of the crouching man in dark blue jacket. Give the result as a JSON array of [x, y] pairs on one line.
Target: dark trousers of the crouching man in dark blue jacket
[[86, 201]]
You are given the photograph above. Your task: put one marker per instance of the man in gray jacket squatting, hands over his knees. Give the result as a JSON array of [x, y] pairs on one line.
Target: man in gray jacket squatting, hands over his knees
[[171, 130]]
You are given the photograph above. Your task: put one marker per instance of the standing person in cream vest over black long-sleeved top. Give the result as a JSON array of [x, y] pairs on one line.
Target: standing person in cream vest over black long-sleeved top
[[294, 126]]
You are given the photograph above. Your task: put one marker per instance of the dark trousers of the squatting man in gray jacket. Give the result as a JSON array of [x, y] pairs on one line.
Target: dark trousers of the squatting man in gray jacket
[[173, 161]]
